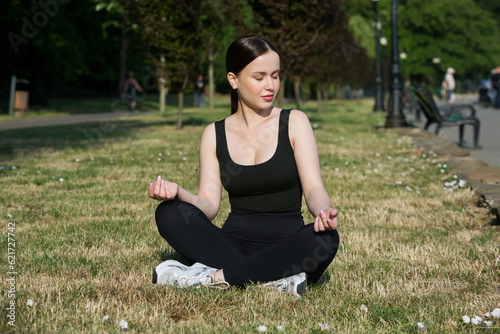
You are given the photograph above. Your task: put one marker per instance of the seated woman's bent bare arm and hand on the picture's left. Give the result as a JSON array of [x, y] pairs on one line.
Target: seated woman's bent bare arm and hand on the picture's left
[[210, 189]]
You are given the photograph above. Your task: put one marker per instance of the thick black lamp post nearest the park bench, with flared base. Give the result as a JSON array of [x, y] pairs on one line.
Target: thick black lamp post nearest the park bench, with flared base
[[395, 117]]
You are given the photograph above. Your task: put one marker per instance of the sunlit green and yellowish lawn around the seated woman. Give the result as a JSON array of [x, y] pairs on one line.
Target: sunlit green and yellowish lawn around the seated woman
[[86, 240]]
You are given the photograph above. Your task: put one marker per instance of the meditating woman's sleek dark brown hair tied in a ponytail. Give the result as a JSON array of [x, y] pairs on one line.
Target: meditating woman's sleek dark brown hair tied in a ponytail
[[241, 53]]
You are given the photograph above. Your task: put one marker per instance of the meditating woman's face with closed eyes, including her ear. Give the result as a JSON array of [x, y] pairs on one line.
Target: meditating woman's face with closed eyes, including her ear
[[258, 83]]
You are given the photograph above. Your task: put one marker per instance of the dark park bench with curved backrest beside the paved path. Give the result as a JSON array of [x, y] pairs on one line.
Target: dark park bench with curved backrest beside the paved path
[[448, 115]]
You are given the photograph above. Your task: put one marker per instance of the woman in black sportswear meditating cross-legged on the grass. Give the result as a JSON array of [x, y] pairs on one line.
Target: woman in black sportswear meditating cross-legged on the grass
[[265, 158]]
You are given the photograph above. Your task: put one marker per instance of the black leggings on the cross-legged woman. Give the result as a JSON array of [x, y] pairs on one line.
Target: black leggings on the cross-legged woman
[[249, 248]]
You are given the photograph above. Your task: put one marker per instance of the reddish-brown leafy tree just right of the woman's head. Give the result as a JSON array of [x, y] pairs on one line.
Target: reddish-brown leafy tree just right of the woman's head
[[312, 38]]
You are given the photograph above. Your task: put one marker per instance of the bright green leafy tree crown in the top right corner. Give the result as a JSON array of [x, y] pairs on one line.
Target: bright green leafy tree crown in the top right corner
[[458, 31]]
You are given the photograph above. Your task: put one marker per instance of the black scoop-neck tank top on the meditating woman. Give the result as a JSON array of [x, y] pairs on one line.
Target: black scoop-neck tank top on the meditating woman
[[269, 187]]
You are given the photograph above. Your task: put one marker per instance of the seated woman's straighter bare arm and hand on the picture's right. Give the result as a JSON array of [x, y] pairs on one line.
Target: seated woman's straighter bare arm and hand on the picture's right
[[307, 159]]
